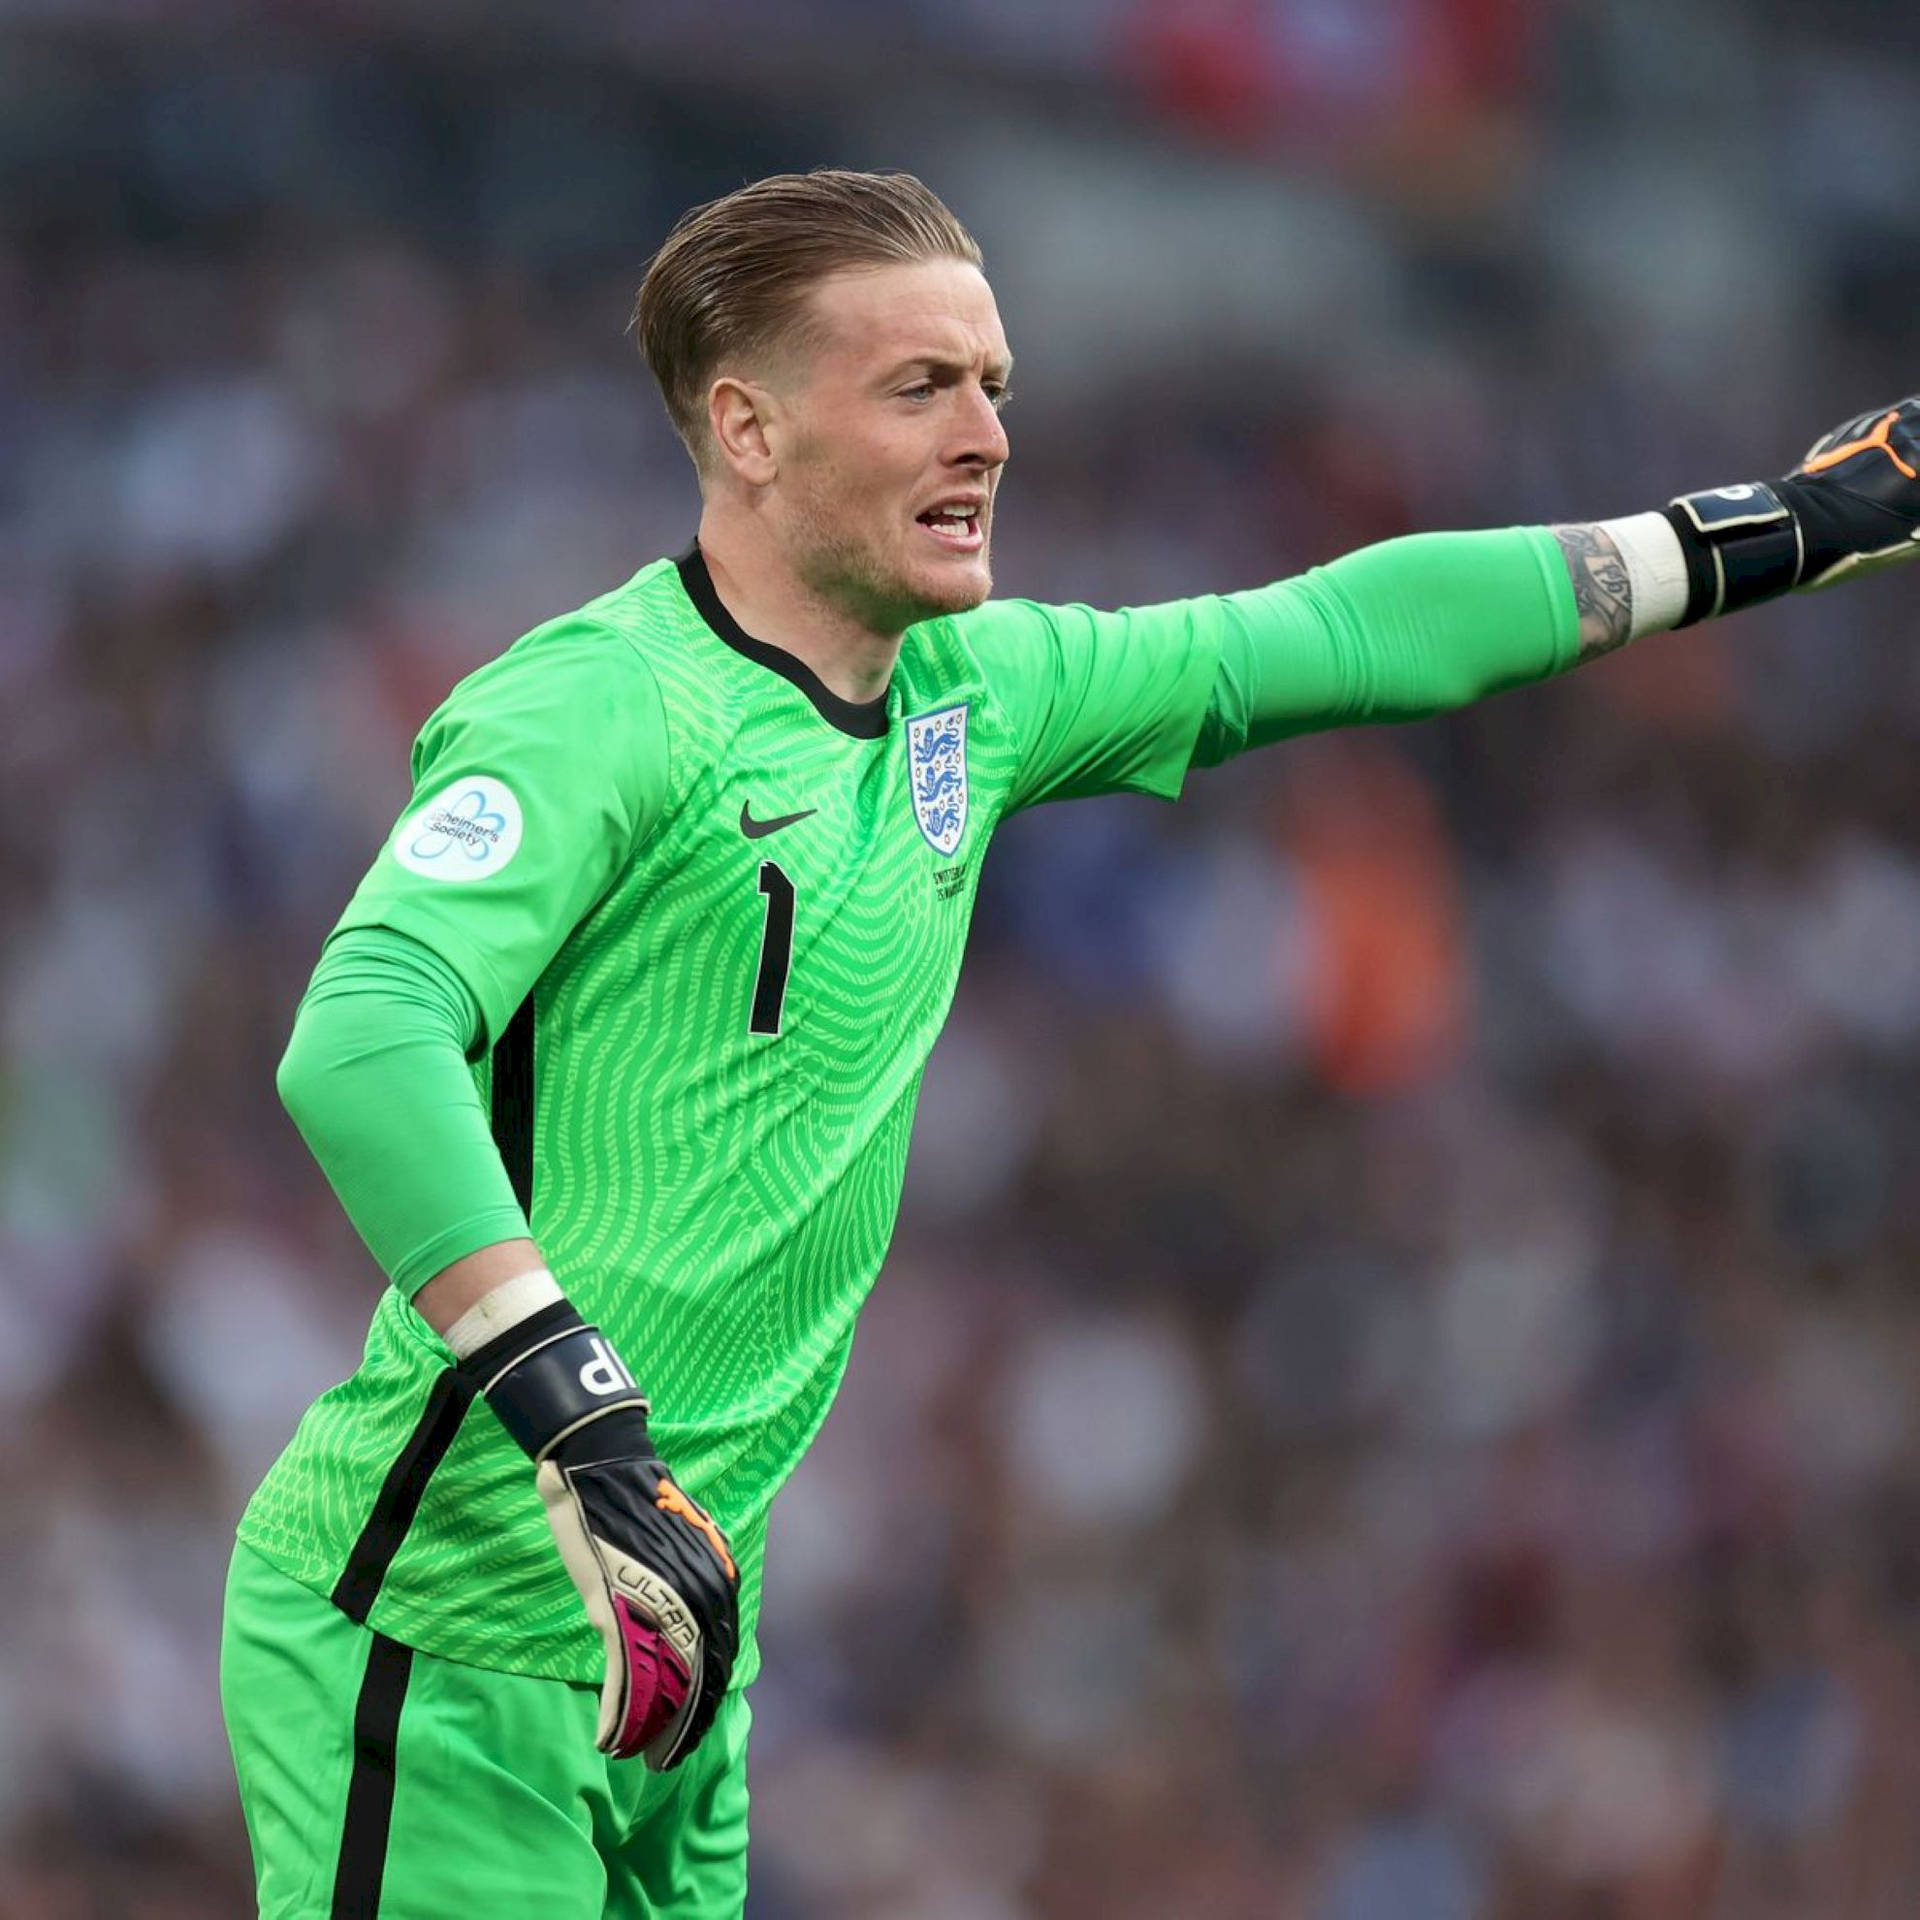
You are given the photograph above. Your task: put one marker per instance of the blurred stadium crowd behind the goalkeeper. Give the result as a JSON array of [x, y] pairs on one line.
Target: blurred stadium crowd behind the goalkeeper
[[1395, 1391]]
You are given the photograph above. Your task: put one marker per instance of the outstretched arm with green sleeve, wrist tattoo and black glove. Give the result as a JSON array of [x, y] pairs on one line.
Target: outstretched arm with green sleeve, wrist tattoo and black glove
[[1132, 700]]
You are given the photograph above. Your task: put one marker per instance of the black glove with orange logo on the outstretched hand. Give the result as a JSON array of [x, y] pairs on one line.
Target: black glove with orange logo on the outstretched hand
[[1854, 504]]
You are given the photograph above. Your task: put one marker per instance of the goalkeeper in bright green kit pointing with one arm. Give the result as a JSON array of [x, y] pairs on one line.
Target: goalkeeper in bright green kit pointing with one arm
[[613, 1055]]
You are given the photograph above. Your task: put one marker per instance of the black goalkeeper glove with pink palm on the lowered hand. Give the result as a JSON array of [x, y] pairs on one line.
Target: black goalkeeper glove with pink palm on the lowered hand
[[656, 1573]]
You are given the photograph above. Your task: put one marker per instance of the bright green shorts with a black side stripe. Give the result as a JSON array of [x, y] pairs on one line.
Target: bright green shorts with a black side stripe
[[387, 1785]]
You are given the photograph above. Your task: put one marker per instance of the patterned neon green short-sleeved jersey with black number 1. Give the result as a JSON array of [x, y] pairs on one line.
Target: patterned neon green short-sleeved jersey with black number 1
[[713, 917]]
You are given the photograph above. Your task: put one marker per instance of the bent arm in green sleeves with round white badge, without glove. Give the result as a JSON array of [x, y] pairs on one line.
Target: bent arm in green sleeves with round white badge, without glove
[[562, 736]]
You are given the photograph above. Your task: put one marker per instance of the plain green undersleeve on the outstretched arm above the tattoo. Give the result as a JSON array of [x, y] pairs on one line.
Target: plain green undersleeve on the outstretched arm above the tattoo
[[1393, 633]]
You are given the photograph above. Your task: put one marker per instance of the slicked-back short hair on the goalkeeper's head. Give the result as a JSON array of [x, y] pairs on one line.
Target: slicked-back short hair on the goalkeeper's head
[[732, 277]]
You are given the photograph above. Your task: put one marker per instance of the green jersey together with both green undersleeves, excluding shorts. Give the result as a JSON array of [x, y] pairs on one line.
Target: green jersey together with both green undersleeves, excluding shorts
[[721, 1199]]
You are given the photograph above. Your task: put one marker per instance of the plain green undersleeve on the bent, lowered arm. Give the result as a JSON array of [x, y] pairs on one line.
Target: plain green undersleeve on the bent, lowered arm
[[377, 1080]]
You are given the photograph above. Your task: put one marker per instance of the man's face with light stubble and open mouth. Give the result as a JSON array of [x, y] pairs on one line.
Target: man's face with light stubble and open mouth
[[890, 443]]
